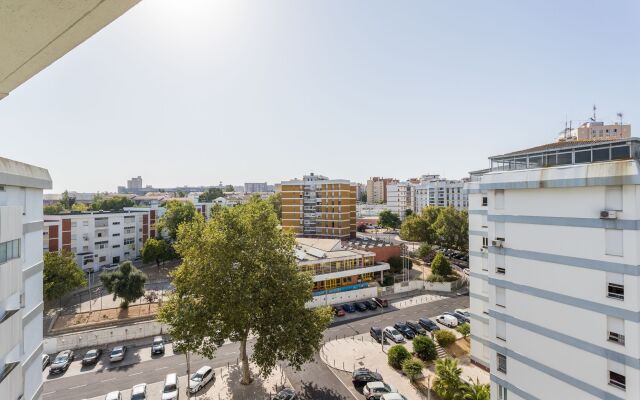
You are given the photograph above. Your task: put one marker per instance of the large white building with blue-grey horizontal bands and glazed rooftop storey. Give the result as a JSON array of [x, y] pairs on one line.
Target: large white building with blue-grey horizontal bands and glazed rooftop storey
[[555, 277]]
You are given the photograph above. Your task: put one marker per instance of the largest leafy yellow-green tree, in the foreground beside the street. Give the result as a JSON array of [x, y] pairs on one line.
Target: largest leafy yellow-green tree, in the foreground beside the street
[[239, 277]]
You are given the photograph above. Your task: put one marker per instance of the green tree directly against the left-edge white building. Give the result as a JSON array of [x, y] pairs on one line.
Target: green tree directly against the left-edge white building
[[61, 274]]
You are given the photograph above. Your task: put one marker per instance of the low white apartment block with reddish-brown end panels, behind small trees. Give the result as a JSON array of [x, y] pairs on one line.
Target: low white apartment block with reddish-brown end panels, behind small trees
[[100, 238]]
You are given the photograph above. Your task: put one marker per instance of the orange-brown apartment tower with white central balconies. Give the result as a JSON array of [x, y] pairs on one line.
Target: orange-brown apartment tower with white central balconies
[[316, 206]]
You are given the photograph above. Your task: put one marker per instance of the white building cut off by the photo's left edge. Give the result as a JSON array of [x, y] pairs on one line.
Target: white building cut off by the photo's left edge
[[21, 269]]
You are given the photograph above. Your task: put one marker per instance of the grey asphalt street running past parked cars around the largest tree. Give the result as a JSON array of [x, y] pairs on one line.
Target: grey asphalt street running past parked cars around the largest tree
[[315, 381]]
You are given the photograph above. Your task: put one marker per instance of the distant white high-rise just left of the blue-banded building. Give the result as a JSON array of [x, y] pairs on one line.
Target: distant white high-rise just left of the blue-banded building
[[435, 191]]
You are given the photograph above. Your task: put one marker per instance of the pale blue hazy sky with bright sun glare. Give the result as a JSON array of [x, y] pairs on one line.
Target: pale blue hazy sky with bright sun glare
[[199, 92]]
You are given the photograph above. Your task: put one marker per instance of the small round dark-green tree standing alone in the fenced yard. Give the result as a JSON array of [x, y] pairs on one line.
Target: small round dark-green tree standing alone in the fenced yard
[[126, 282]]
